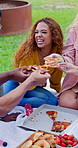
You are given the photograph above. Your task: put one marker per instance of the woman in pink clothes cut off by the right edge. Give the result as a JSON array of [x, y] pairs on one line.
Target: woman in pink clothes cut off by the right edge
[[69, 92]]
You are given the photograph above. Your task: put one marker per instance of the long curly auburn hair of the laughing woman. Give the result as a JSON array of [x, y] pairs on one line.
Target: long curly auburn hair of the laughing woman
[[29, 44]]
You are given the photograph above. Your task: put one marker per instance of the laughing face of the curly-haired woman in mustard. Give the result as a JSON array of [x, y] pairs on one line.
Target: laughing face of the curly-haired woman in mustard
[[43, 35]]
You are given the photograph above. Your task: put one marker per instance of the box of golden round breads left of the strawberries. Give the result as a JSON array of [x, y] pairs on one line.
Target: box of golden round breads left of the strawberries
[[39, 136]]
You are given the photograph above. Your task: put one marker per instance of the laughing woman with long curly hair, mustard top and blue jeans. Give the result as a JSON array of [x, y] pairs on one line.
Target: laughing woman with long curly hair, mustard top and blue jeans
[[45, 38]]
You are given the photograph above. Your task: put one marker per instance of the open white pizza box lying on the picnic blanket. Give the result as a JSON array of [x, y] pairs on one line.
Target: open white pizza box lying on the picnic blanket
[[37, 119]]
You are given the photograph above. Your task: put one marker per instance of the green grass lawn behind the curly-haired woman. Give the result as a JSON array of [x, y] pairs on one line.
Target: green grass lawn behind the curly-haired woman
[[63, 11]]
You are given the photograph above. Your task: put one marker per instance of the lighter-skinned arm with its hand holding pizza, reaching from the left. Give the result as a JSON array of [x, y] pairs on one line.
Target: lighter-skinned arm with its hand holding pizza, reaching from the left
[[10, 100]]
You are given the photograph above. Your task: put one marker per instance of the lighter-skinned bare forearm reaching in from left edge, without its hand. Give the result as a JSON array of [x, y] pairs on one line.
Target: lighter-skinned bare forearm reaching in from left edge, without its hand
[[10, 100]]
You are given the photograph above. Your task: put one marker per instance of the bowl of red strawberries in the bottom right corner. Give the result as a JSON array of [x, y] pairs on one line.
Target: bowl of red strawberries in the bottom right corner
[[66, 141]]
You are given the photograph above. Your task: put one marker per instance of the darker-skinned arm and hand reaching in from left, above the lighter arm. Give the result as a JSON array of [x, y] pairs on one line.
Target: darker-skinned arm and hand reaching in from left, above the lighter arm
[[18, 74]]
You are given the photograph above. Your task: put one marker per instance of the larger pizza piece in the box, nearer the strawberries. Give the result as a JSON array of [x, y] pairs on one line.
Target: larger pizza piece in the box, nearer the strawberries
[[59, 126]]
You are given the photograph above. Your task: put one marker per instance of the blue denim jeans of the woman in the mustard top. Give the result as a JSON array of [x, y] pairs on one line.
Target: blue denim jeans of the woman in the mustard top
[[35, 97]]
